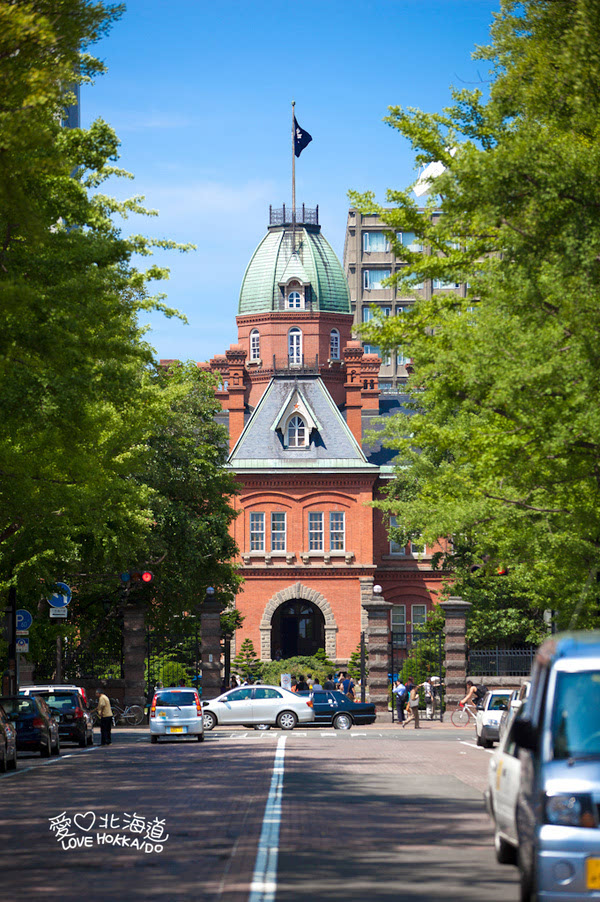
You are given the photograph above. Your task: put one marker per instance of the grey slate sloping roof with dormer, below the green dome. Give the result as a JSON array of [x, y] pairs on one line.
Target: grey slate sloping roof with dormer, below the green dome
[[332, 446]]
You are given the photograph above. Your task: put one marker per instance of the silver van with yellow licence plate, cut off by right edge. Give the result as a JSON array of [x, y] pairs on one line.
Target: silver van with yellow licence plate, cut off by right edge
[[557, 737]]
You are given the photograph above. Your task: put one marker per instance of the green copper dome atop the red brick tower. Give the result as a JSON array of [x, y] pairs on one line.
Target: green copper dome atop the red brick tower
[[314, 264]]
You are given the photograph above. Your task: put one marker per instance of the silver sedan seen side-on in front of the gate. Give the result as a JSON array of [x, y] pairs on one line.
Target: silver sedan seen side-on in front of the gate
[[258, 705]]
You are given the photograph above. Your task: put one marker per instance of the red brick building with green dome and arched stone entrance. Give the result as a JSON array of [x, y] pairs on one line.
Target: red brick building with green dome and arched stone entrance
[[298, 396]]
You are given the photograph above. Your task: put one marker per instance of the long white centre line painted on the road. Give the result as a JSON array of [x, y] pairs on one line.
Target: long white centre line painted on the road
[[264, 879]]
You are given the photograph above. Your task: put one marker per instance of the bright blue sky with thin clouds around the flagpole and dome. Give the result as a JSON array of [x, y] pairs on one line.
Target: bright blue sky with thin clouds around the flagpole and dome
[[200, 95]]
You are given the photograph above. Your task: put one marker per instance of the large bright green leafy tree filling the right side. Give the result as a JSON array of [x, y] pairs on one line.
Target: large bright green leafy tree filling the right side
[[501, 446]]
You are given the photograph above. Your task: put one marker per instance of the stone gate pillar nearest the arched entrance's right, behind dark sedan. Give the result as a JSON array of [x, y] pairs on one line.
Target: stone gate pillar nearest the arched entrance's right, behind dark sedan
[[377, 636]]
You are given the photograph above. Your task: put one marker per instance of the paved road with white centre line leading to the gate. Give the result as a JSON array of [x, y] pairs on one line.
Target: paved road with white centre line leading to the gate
[[378, 814]]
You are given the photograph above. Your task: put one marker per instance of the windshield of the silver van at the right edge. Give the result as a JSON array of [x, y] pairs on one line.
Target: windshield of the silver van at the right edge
[[576, 715]]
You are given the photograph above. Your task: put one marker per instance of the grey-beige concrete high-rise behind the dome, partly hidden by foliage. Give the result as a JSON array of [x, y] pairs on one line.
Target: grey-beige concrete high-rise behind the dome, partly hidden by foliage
[[368, 261]]
